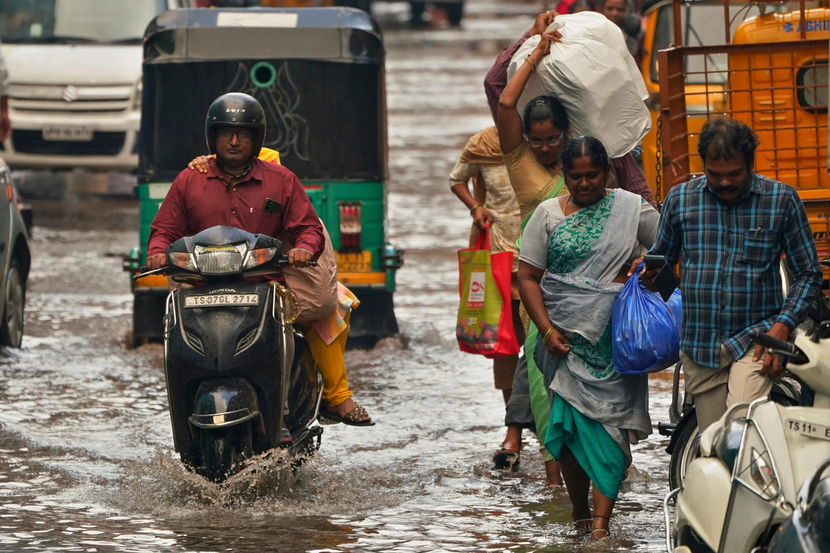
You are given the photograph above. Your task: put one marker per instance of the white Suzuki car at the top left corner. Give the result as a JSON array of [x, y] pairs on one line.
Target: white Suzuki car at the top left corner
[[75, 68]]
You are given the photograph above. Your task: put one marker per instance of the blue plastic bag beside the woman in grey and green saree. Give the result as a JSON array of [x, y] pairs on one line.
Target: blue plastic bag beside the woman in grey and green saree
[[645, 329]]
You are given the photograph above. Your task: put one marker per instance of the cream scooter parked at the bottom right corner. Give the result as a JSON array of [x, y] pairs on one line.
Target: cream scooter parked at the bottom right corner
[[742, 483]]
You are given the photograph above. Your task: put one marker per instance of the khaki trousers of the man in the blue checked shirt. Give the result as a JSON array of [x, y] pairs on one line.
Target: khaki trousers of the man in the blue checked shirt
[[715, 390]]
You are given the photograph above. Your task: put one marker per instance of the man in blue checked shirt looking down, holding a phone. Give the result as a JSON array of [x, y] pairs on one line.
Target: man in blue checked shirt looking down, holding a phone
[[728, 230]]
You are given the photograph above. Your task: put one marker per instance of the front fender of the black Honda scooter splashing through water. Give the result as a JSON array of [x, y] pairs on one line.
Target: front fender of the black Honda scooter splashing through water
[[224, 402]]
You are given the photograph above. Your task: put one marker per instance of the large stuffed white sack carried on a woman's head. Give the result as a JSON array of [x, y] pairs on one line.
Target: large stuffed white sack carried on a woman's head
[[592, 80]]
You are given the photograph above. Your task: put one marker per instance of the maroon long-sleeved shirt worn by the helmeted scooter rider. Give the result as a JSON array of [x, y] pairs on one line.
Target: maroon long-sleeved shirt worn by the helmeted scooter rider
[[199, 201]]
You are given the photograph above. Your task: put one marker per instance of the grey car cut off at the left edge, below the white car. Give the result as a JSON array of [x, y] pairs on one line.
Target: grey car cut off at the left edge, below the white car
[[15, 260]]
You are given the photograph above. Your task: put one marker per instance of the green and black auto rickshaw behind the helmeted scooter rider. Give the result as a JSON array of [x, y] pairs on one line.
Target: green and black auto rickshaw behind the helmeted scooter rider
[[319, 74]]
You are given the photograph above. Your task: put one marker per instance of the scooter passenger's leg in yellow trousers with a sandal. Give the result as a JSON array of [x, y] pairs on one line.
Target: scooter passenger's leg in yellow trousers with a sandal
[[329, 359]]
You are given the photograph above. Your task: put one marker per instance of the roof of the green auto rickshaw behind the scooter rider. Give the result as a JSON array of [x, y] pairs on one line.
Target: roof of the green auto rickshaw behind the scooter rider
[[336, 34]]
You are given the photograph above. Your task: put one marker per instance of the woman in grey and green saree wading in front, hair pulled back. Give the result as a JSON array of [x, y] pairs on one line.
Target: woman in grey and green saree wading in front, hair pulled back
[[575, 254]]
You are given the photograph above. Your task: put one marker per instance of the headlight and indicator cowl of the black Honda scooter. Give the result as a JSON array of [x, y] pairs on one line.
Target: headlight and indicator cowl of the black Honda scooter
[[224, 251]]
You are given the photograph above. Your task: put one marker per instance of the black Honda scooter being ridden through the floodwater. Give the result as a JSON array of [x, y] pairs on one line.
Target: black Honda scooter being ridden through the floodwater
[[240, 380]]
